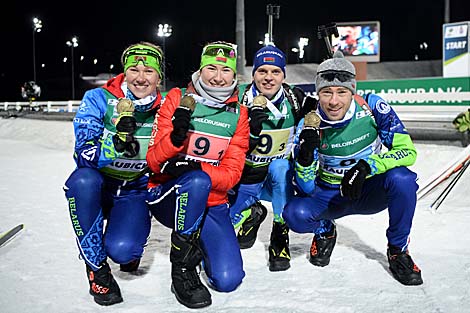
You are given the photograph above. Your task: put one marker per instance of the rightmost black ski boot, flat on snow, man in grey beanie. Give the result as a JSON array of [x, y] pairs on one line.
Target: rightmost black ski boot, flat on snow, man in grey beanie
[[403, 268]]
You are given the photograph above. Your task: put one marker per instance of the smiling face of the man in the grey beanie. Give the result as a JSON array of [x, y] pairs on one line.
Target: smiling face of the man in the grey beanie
[[335, 102]]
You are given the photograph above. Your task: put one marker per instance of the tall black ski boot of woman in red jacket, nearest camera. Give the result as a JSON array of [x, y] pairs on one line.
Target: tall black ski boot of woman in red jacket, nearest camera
[[185, 256]]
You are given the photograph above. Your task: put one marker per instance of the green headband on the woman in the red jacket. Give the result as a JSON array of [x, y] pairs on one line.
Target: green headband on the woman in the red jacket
[[222, 54]]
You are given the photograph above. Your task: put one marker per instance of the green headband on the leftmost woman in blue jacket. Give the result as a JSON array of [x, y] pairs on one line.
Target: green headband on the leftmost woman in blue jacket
[[146, 55]]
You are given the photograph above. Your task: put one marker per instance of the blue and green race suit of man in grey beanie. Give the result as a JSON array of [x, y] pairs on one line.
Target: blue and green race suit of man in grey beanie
[[363, 132]]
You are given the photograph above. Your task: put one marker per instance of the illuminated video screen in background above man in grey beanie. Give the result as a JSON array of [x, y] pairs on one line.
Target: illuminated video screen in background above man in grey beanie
[[359, 41]]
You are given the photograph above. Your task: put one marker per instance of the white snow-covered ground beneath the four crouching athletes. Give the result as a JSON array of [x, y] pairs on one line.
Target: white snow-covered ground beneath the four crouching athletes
[[40, 270]]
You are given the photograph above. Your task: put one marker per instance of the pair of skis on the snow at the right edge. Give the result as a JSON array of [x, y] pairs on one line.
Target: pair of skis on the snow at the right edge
[[456, 167]]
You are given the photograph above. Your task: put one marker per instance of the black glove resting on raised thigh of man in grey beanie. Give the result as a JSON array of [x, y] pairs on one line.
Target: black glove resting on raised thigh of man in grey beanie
[[353, 180]]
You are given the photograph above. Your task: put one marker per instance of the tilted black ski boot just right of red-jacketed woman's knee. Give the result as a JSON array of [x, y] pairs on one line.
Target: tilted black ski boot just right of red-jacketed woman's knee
[[249, 230]]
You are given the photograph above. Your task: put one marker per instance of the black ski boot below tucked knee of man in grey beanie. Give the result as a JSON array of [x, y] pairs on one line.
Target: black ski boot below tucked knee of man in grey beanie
[[322, 247]]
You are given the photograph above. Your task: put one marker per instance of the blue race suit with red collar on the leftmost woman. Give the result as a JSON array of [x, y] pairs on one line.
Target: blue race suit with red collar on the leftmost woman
[[107, 184]]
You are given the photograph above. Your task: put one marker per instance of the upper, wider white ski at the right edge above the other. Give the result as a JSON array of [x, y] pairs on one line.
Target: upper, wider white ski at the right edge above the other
[[448, 170]]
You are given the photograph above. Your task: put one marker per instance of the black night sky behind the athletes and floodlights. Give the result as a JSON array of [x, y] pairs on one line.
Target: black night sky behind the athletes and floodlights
[[105, 28]]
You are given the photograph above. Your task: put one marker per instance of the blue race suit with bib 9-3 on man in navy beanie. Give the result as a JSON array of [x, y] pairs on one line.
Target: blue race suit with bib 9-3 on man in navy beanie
[[268, 171]]
